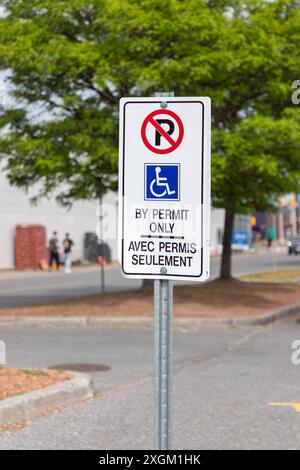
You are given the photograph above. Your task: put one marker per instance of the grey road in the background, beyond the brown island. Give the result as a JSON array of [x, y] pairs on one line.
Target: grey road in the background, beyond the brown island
[[17, 289]]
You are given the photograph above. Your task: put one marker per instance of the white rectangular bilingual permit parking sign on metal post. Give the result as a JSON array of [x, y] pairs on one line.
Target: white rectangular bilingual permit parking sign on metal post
[[164, 188]]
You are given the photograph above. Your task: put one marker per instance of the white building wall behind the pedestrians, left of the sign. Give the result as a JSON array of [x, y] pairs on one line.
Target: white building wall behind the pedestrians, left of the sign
[[15, 209]]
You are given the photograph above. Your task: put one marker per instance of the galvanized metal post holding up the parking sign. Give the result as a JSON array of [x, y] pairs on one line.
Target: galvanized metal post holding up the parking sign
[[163, 349]]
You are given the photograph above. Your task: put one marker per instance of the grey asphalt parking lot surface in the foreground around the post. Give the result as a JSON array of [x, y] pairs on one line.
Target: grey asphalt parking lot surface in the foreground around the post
[[224, 382]]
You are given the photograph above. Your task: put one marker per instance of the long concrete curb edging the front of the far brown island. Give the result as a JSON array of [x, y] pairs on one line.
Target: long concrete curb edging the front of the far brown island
[[145, 322]]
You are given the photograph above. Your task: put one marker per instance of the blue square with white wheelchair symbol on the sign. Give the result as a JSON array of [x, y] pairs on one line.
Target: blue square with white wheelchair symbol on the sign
[[162, 182]]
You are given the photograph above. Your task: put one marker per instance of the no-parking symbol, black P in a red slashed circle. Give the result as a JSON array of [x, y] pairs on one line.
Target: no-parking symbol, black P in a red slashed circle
[[162, 131]]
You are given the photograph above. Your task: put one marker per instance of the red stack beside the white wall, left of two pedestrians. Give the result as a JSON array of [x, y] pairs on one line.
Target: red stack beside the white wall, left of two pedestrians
[[30, 246]]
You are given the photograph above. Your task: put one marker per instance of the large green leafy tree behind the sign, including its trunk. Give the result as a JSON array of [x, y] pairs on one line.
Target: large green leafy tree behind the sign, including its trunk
[[69, 63]]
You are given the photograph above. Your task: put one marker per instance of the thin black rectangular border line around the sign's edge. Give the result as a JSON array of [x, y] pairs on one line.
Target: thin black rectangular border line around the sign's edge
[[123, 190]]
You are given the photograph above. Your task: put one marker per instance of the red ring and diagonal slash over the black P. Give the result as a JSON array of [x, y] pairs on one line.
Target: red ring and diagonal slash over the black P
[[150, 121]]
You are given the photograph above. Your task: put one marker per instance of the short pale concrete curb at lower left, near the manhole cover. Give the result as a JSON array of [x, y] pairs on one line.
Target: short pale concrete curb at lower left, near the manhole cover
[[29, 405]]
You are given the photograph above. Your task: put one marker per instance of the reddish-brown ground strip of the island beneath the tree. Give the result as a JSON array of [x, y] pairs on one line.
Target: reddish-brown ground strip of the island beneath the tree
[[217, 298]]
